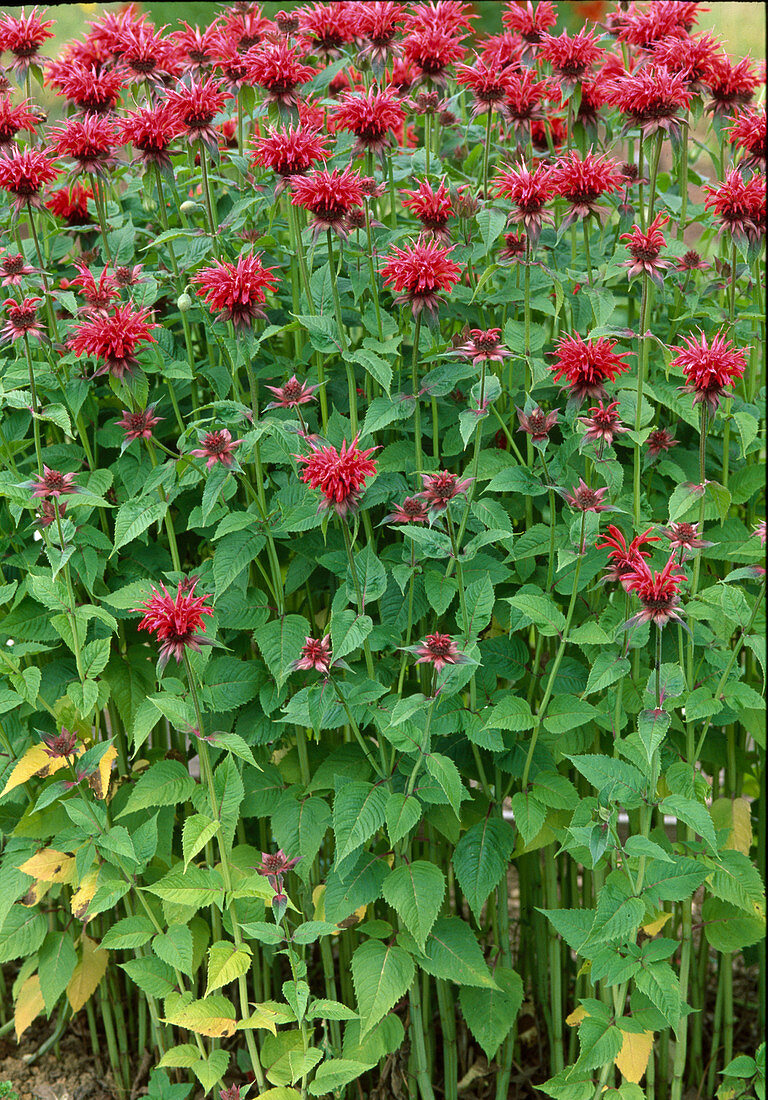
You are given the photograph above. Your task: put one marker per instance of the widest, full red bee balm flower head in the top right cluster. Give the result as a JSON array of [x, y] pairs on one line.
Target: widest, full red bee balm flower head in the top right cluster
[[651, 98]]
